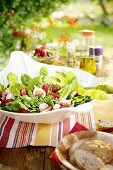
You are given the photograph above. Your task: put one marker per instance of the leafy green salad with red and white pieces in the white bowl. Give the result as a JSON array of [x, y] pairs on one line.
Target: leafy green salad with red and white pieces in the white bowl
[[44, 92]]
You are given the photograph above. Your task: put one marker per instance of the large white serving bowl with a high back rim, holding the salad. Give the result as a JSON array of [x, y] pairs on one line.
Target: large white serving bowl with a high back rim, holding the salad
[[20, 63]]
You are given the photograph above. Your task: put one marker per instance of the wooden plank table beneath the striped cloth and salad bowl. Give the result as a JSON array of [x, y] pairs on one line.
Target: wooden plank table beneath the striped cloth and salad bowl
[[38, 158]]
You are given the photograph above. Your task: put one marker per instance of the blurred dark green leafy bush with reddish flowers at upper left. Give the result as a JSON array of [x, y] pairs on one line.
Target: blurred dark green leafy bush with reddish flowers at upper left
[[16, 15]]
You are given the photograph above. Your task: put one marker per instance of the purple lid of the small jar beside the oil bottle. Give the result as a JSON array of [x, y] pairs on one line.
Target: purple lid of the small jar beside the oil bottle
[[96, 50]]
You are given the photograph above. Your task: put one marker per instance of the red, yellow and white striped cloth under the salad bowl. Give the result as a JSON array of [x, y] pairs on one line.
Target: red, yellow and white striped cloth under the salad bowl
[[15, 134]]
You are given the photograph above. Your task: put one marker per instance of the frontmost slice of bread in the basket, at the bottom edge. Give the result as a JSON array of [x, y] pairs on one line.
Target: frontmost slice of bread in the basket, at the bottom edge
[[86, 160]]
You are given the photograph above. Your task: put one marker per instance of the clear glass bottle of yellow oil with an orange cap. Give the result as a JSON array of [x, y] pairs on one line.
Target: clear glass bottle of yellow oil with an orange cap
[[87, 62]]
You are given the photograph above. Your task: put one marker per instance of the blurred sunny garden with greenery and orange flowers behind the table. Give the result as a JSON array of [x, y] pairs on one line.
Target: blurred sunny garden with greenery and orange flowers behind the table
[[25, 24]]
